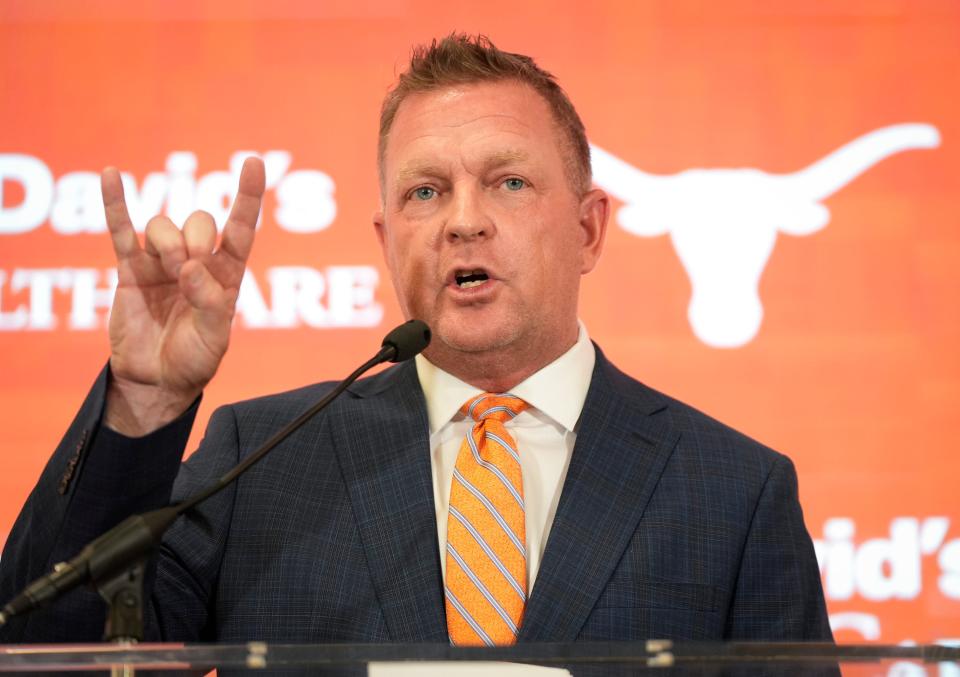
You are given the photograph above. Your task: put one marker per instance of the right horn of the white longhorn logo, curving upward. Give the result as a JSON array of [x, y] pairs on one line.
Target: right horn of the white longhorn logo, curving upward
[[825, 177]]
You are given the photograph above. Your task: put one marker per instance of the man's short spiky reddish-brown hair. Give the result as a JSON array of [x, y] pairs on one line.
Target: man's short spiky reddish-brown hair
[[462, 59]]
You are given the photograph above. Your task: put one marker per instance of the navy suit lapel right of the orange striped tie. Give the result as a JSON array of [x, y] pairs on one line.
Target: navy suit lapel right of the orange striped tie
[[621, 450]]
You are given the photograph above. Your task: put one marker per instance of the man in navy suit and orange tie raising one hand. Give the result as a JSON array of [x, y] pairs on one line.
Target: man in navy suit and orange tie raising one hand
[[397, 514]]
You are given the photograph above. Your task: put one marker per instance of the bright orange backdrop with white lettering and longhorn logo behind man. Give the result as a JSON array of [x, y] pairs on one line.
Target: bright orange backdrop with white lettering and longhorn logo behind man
[[705, 114]]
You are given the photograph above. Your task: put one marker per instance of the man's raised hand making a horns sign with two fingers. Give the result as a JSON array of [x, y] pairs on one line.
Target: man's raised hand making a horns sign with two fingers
[[170, 321]]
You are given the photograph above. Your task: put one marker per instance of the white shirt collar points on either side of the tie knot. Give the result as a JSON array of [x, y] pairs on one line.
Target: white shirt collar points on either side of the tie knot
[[558, 390]]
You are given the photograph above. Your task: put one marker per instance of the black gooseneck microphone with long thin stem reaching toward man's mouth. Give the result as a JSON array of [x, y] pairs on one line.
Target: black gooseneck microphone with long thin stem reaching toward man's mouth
[[119, 548]]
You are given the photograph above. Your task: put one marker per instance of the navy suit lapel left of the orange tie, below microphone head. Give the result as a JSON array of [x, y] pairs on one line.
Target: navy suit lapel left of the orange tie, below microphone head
[[383, 448]]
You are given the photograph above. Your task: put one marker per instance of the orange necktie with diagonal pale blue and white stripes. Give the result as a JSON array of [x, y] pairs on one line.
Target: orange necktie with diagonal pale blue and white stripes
[[486, 585]]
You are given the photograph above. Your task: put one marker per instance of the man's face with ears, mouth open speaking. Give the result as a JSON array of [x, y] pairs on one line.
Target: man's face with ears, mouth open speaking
[[484, 235]]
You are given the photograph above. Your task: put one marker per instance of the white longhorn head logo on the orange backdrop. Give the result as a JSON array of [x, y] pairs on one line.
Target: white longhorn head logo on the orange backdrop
[[724, 222]]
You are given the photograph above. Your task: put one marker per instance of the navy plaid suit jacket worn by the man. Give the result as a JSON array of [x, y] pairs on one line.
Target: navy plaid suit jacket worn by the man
[[670, 525]]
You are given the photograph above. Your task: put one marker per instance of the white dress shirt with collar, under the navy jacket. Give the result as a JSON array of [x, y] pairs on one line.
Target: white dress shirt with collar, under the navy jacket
[[545, 434]]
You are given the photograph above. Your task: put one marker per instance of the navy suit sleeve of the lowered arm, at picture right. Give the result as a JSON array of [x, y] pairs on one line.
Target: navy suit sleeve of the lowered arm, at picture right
[[778, 594]]
